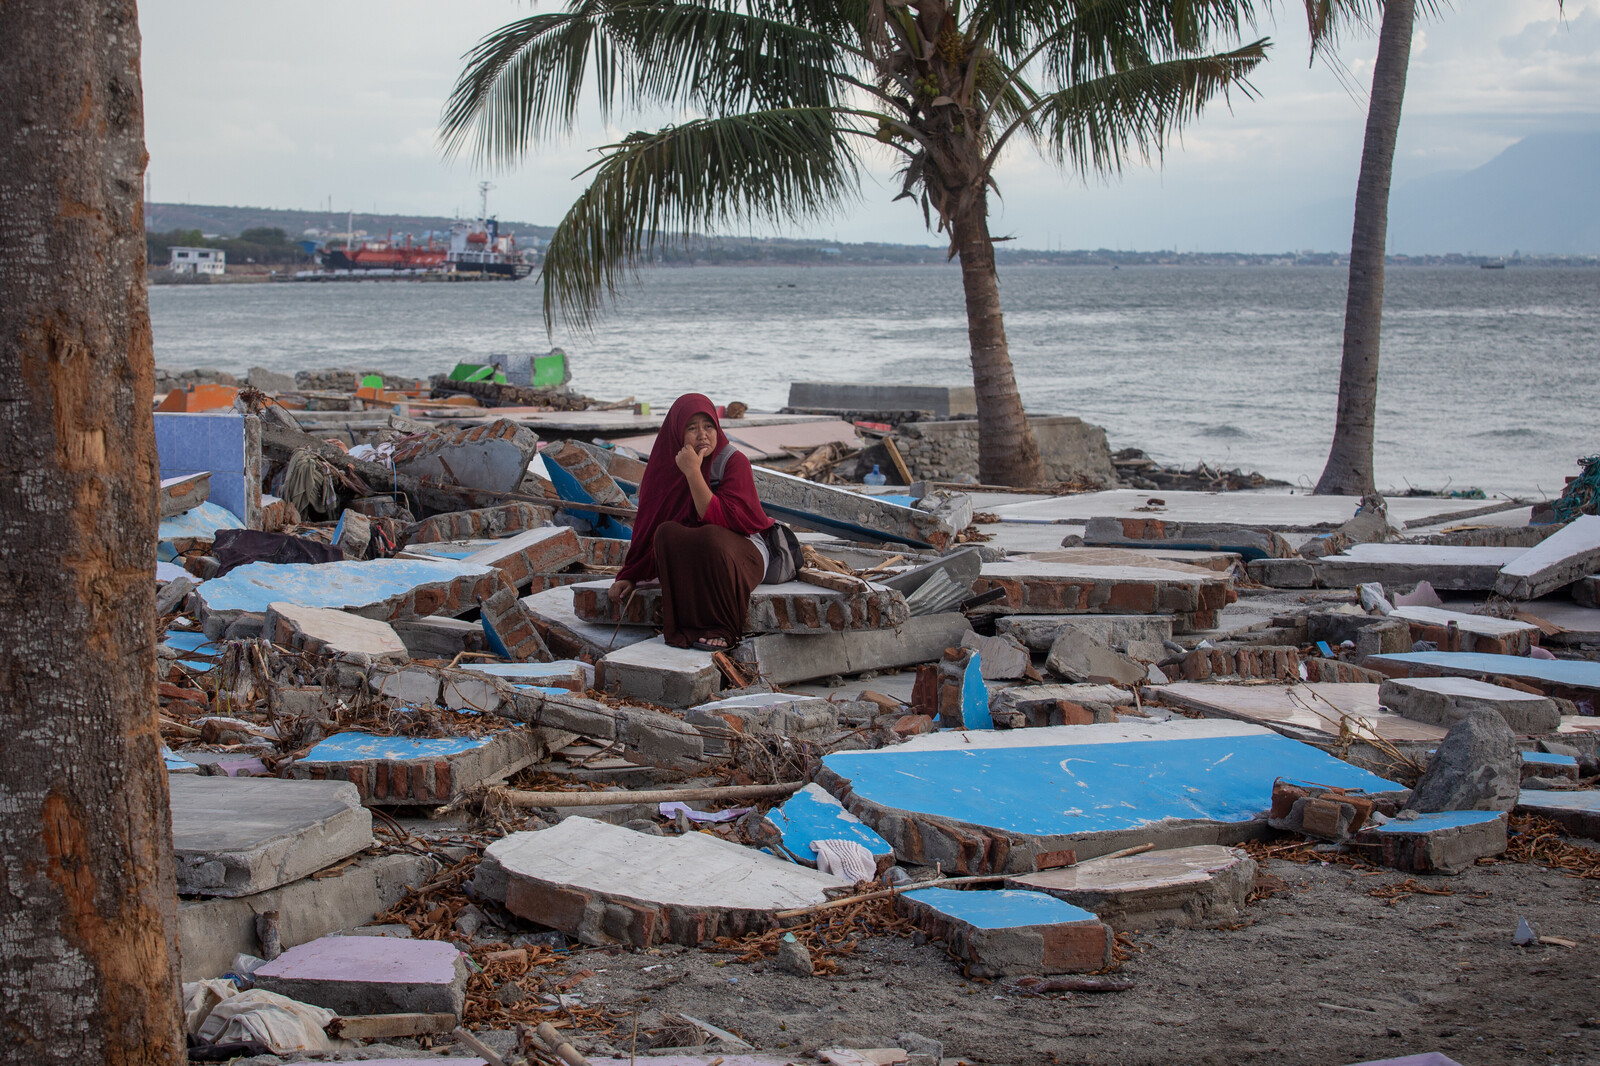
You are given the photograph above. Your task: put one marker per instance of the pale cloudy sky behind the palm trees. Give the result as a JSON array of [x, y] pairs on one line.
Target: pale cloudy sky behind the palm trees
[[298, 105]]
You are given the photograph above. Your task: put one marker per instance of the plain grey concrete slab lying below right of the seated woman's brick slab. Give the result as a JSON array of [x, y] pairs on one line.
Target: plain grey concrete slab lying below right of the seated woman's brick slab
[[785, 659]]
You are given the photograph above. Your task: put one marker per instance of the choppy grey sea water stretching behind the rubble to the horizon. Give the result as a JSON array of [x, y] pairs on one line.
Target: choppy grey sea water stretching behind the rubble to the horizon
[[1490, 379]]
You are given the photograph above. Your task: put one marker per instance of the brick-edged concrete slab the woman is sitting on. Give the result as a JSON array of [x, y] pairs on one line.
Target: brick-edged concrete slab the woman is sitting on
[[790, 607]]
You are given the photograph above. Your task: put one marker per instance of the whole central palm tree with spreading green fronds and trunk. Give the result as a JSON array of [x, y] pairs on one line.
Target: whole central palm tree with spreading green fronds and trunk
[[788, 100]]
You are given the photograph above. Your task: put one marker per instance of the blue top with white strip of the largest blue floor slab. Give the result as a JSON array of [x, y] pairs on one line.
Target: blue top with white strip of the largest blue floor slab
[[1094, 779]]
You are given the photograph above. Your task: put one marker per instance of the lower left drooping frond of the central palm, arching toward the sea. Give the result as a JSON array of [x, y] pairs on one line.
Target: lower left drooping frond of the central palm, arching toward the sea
[[660, 188]]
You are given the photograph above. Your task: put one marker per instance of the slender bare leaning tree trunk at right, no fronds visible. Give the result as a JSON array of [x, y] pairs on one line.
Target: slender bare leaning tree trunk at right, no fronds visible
[[1350, 470]]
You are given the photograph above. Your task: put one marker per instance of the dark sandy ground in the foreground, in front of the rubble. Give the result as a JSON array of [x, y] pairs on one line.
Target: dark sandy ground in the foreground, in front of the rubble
[[1322, 972]]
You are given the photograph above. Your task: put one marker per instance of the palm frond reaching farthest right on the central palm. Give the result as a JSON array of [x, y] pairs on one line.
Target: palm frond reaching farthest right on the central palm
[[1095, 127]]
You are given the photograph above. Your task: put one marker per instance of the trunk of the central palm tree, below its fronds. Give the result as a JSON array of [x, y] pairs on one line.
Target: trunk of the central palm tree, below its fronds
[[1007, 451]]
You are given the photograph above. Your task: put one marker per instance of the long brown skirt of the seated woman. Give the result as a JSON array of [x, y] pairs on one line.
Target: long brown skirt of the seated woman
[[708, 575]]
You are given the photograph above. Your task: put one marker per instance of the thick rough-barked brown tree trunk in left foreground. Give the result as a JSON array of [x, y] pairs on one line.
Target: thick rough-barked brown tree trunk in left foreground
[[89, 969]]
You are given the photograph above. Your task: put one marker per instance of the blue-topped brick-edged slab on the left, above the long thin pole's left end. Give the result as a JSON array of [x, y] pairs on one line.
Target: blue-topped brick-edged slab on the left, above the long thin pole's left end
[[418, 771]]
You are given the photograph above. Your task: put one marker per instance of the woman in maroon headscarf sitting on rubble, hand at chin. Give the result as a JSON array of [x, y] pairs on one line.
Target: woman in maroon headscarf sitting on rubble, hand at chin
[[700, 531]]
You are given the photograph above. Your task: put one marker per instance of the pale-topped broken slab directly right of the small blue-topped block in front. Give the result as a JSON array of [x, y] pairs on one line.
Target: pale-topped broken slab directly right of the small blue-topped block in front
[[1174, 888]]
